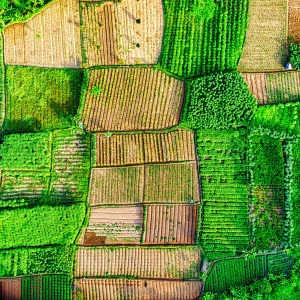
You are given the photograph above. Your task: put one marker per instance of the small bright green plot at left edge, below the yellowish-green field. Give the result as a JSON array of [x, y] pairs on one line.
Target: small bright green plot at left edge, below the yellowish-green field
[[26, 152]]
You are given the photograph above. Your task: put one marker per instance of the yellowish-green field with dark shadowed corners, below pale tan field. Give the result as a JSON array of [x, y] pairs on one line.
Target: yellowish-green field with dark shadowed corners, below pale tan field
[[41, 99]]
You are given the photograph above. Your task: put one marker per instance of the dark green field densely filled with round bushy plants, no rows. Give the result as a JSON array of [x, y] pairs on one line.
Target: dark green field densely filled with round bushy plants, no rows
[[218, 101]]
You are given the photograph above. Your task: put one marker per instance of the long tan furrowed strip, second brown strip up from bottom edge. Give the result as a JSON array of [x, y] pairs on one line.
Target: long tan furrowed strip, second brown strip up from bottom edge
[[139, 261]]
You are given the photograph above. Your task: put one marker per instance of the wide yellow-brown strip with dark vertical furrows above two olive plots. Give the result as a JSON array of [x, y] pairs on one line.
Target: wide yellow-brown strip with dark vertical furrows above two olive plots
[[126, 149]]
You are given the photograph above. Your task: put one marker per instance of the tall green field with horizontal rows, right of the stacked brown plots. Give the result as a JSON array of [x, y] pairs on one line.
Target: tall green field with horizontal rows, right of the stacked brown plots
[[225, 225]]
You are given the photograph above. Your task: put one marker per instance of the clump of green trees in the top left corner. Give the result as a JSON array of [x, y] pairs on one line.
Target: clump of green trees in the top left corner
[[18, 10]]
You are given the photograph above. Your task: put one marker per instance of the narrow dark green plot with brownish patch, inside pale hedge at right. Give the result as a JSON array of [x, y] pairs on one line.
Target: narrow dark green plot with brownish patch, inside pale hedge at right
[[267, 181]]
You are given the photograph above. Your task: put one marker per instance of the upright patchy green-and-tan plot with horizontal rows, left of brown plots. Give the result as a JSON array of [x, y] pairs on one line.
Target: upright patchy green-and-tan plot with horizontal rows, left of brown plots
[[70, 166]]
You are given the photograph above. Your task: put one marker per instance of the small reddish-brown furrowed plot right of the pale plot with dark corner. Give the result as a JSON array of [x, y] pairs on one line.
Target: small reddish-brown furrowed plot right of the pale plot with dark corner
[[171, 224]]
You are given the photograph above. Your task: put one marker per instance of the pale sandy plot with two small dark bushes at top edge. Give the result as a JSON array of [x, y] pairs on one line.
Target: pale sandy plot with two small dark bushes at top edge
[[139, 43]]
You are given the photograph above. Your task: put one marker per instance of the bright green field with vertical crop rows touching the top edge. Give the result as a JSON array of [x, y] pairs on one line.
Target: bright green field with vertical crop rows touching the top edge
[[203, 36]]
